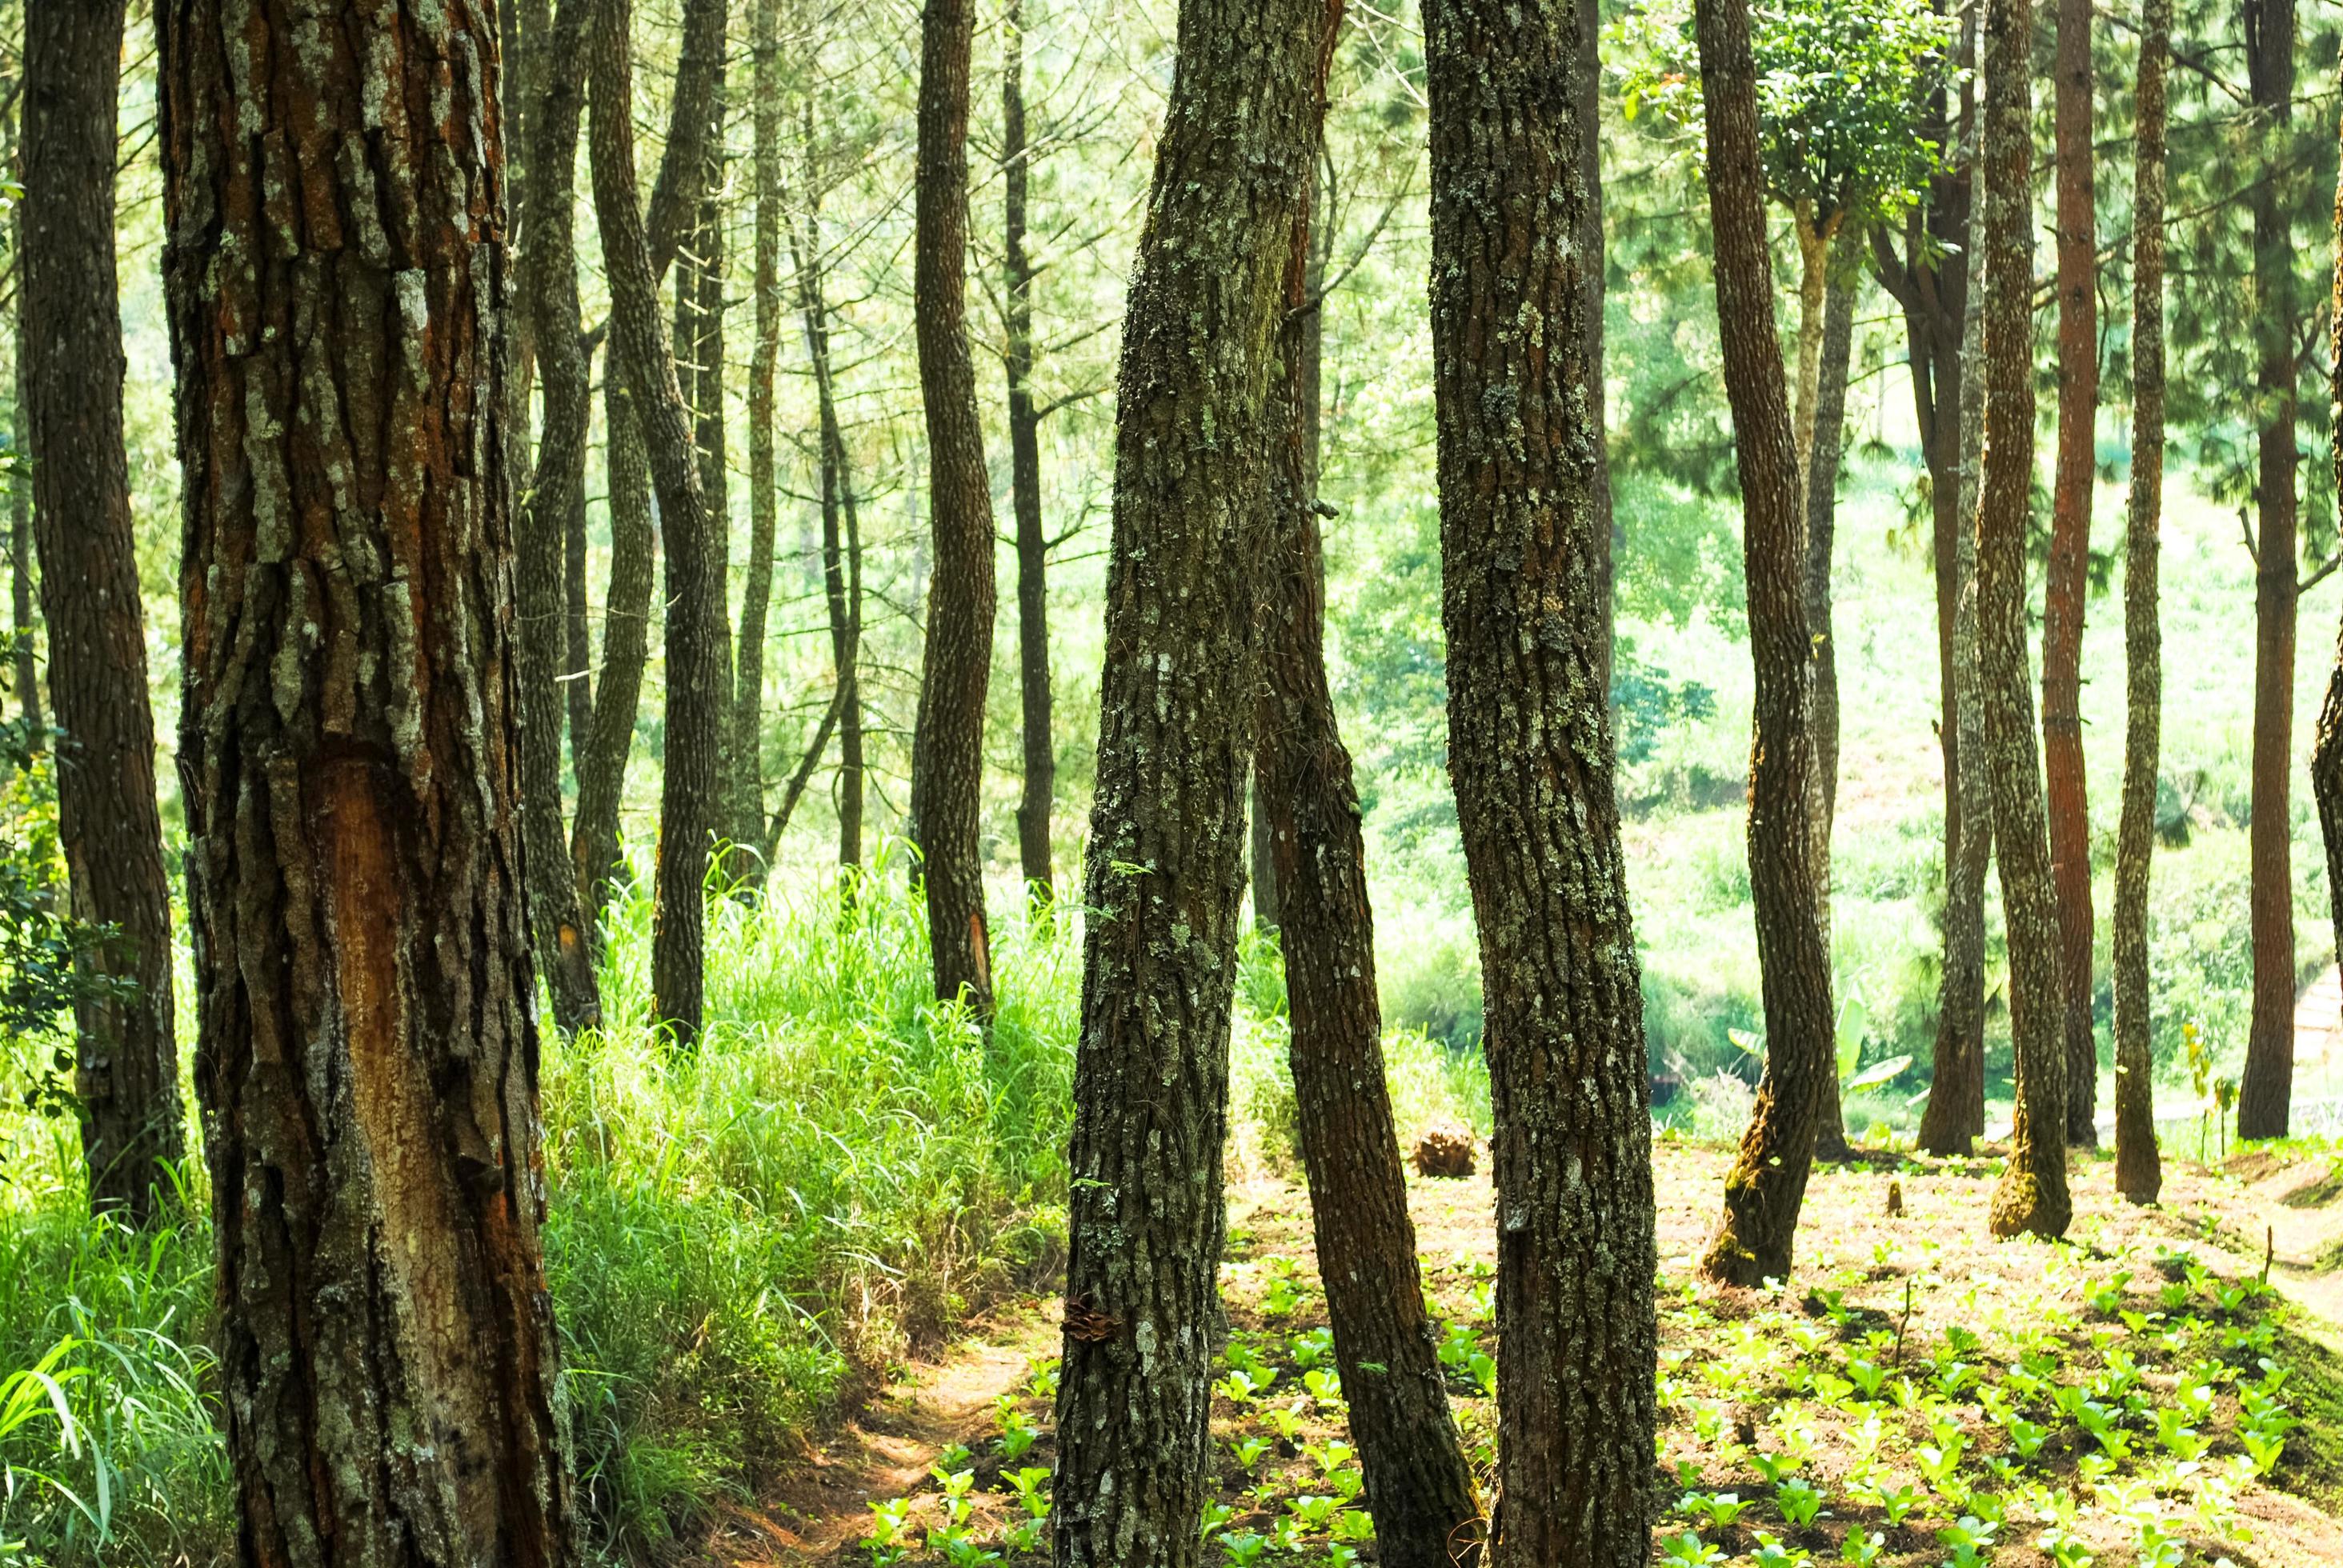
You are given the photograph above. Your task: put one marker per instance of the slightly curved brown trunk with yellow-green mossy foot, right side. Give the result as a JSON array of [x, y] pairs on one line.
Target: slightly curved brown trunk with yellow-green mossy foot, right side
[[2033, 1194]]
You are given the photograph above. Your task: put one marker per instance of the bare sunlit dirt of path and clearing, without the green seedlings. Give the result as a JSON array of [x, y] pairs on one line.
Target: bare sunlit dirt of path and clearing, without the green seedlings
[[1922, 1274]]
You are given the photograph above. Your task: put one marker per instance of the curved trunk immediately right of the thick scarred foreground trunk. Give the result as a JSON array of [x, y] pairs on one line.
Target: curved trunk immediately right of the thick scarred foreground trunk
[[556, 505]]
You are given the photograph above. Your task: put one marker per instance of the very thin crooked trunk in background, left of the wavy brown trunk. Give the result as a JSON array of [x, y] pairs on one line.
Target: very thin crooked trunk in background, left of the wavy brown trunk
[[842, 531]]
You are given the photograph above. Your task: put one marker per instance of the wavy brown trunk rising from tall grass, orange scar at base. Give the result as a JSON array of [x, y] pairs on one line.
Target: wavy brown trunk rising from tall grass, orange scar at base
[[948, 742]]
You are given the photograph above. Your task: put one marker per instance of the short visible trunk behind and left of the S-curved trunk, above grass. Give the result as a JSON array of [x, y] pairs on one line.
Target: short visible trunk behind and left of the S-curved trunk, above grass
[[627, 643]]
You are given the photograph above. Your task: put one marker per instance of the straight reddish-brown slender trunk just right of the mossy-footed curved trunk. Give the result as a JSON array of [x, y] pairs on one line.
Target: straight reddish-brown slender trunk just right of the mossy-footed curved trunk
[[2070, 559]]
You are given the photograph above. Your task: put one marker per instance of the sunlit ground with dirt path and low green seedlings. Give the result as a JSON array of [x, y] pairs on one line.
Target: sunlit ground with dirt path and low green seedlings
[[1936, 1396]]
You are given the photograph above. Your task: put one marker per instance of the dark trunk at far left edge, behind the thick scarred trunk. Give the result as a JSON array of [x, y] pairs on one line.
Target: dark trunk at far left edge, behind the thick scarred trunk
[[107, 819]]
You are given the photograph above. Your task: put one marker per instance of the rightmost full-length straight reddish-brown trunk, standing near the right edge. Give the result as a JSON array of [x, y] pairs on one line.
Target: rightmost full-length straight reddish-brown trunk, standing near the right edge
[[2267, 1089]]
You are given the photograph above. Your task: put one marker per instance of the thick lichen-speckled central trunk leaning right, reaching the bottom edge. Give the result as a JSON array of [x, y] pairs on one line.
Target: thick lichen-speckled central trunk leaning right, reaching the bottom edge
[[1177, 702]]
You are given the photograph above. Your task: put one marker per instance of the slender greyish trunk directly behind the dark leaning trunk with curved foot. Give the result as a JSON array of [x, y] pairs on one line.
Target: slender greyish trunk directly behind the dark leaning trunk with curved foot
[[1822, 536]]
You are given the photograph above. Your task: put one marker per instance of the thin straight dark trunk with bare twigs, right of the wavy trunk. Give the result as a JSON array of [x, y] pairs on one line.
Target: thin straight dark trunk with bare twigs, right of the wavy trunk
[[1025, 479]]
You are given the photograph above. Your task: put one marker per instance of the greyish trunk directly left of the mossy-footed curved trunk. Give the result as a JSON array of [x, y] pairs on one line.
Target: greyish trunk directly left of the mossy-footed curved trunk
[[1955, 1112]]
